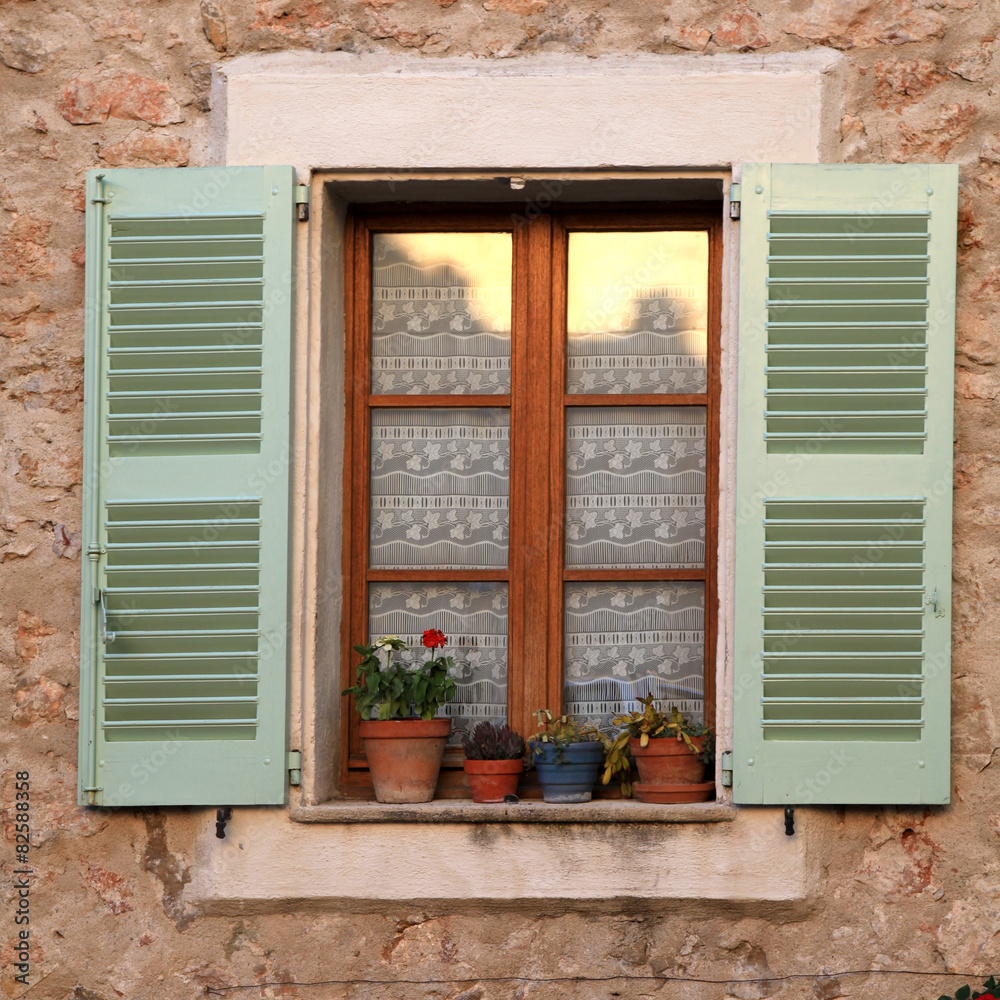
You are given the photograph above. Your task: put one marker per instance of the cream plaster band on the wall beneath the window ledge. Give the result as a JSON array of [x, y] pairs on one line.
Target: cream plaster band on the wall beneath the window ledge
[[455, 853]]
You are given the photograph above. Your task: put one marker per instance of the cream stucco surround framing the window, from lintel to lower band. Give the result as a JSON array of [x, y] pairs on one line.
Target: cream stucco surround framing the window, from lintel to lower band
[[369, 127]]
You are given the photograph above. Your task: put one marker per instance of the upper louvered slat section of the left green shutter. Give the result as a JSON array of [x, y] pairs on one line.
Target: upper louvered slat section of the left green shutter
[[151, 408]]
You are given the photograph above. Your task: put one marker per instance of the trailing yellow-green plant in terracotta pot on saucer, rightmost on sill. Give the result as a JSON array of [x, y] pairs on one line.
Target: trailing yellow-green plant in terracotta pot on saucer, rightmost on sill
[[669, 750]]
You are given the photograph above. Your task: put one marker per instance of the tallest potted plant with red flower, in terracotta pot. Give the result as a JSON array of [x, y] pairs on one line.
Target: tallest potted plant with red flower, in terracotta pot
[[403, 741]]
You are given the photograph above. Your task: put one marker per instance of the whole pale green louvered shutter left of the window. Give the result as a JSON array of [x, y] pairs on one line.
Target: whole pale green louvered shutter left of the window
[[186, 455]]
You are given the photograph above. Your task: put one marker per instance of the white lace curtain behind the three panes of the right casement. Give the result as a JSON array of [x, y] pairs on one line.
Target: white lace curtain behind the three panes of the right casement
[[637, 322]]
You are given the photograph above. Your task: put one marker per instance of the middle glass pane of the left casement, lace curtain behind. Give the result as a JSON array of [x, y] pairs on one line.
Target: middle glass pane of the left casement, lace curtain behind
[[440, 488]]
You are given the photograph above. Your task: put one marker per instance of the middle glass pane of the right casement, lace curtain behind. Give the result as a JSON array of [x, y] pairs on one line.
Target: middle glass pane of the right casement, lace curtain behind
[[635, 487]]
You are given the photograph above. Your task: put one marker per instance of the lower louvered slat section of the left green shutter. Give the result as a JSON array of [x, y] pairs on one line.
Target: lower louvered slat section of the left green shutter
[[216, 544]]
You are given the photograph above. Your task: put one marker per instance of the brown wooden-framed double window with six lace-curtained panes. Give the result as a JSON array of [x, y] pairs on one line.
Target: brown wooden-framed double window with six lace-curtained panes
[[532, 457]]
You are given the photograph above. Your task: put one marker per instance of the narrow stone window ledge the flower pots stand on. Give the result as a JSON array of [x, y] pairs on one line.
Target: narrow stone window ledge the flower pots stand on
[[467, 811]]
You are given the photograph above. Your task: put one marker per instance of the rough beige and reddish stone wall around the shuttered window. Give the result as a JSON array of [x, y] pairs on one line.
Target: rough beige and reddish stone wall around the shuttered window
[[117, 84]]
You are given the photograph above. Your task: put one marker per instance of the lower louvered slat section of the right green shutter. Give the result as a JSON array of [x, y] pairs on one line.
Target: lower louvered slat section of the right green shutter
[[866, 643]]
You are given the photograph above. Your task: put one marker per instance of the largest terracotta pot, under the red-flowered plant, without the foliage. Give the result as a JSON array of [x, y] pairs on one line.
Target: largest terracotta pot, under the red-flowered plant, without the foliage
[[404, 757]]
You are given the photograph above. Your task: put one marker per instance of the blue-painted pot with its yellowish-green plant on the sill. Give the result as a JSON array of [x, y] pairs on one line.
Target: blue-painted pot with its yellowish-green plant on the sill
[[568, 757]]
